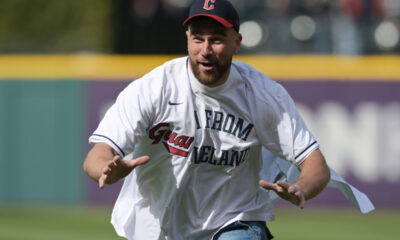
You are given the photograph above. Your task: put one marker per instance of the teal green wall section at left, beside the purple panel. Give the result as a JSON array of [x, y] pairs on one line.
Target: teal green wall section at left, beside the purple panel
[[42, 127]]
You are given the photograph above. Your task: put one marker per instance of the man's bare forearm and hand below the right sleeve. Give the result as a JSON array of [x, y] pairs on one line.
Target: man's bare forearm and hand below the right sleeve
[[313, 178]]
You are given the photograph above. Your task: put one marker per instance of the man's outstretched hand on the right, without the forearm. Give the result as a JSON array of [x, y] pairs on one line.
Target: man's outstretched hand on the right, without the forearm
[[290, 192]]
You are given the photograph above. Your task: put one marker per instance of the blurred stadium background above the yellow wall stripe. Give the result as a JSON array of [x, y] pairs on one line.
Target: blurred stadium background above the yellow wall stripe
[[350, 27]]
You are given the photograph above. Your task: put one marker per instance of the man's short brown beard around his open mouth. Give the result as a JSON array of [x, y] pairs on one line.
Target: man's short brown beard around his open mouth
[[213, 77]]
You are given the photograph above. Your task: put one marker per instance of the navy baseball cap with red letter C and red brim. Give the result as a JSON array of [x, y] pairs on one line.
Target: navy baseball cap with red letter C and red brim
[[220, 10]]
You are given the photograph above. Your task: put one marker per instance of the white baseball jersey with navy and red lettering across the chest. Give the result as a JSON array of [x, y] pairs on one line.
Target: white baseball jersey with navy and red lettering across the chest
[[205, 150]]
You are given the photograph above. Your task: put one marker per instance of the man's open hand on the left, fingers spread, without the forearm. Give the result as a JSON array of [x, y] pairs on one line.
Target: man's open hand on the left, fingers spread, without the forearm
[[118, 168]]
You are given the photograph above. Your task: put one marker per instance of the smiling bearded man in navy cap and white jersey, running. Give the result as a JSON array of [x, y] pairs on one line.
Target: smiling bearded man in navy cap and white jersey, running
[[196, 126]]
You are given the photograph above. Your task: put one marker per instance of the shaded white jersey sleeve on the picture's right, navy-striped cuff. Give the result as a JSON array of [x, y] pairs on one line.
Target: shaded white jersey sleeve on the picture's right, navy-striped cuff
[[281, 129]]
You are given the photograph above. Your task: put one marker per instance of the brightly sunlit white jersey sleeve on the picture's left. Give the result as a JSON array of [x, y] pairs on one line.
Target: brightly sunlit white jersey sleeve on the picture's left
[[126, 121]]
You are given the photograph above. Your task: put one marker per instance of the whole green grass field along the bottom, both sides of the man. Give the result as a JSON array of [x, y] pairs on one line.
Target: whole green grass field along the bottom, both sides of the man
[[59, 223]]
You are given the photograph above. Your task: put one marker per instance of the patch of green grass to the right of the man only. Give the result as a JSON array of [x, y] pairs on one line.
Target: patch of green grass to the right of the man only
[[335, 224]]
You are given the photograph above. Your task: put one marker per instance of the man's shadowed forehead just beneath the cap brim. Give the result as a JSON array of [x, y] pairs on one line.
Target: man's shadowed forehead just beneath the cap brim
[[206, 25]]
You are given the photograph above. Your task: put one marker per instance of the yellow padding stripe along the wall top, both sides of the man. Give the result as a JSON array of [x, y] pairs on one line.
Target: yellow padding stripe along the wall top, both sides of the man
[[290, 67]]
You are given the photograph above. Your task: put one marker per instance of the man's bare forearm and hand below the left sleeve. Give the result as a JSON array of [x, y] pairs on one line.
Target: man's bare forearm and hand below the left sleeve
[[105, 166]]
